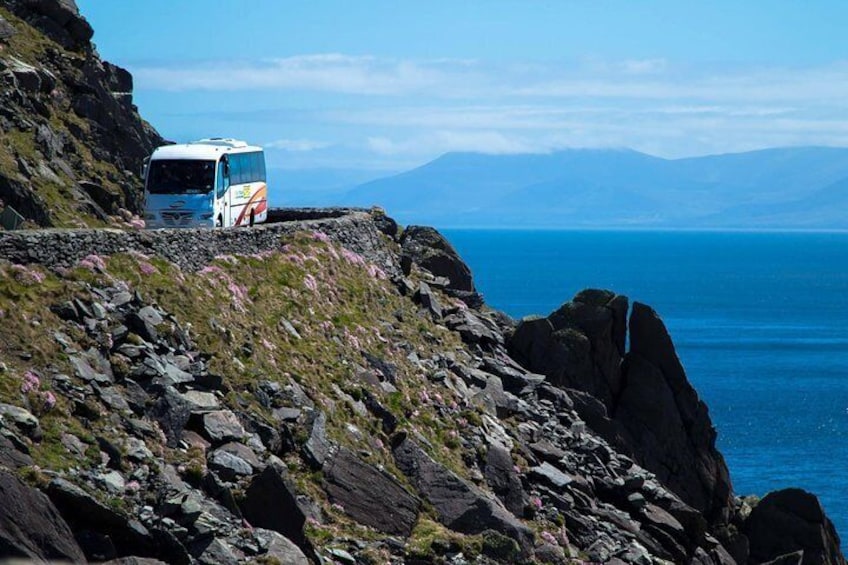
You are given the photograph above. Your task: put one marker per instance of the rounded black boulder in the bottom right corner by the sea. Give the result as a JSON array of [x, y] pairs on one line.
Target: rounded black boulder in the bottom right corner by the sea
[[791, 520]]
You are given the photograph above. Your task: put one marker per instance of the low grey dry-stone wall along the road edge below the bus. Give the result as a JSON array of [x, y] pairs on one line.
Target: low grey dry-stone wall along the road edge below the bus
[[191, 249]]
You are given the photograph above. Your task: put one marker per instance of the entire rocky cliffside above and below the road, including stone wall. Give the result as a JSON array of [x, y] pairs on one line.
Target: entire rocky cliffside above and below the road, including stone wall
[[326, 388]]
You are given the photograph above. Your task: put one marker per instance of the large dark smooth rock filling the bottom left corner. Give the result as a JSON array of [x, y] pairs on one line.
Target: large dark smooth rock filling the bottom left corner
[[31, 526]]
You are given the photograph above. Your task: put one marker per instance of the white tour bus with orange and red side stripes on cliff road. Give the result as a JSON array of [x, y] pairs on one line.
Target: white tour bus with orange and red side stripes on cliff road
[[211, 182]]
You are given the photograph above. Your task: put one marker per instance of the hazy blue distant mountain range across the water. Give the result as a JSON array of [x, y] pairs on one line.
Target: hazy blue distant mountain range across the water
[[784, 188]]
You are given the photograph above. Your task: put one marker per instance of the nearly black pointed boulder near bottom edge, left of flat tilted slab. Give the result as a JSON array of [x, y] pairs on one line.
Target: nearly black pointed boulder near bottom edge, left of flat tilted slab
[[271, 502]]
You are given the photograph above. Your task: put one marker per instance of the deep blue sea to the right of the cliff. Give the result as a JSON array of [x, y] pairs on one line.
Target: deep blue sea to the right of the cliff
[[759, 319]]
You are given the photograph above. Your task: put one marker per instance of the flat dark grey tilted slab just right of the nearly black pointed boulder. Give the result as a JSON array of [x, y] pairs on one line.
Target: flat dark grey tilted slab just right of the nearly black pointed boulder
[[370, 496]]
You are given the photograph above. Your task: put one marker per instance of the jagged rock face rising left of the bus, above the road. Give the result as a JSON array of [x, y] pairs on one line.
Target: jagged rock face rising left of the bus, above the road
[[73, 141]]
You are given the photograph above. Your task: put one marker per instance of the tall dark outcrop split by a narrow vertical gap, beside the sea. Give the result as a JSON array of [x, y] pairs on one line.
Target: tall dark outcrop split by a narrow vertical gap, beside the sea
[[639, 400]]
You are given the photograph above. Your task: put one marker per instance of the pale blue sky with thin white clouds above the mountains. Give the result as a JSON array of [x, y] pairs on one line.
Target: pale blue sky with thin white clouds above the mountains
[[389, 85]]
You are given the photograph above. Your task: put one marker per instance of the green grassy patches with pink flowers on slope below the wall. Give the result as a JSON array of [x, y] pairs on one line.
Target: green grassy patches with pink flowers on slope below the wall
[[233, 311]]
